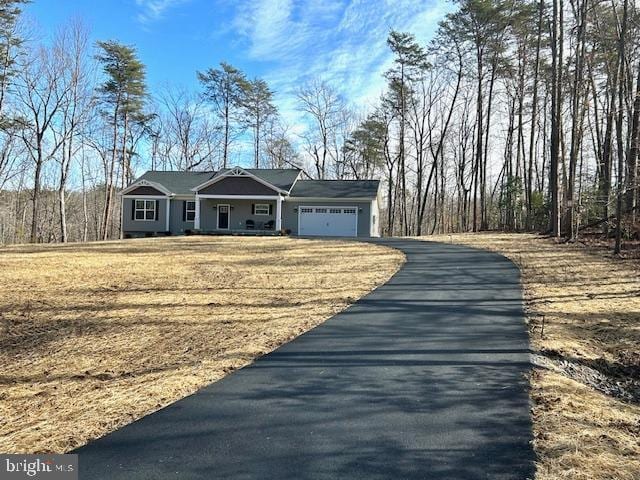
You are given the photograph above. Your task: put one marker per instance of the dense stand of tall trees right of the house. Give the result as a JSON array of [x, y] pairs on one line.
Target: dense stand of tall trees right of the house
[[519, 115]]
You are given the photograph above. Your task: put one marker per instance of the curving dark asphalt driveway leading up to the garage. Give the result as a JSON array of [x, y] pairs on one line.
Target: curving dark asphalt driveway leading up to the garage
[[424, 378]]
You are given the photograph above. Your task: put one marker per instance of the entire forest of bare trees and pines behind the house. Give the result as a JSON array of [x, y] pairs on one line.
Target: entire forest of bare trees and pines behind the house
[[517, 116]]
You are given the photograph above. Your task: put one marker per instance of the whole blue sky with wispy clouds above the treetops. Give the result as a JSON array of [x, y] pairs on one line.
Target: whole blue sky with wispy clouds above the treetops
[[283, 41]]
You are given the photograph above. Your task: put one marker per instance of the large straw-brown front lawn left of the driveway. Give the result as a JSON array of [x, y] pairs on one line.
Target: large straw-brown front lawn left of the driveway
[[95, 336]]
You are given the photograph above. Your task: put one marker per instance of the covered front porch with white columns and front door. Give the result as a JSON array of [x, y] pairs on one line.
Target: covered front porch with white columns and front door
[[239, 215]]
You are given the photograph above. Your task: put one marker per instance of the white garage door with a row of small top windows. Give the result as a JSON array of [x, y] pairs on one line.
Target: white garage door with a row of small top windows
[[328, 221]]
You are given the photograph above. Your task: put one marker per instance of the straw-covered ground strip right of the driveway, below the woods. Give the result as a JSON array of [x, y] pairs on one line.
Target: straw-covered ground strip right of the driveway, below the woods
[[590, 303]]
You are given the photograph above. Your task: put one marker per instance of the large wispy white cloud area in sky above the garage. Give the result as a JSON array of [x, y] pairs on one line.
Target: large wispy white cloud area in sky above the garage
[[340, 41]]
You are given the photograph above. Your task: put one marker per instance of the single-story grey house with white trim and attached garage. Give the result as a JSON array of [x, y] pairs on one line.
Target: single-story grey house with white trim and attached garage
[[239, 200]]
